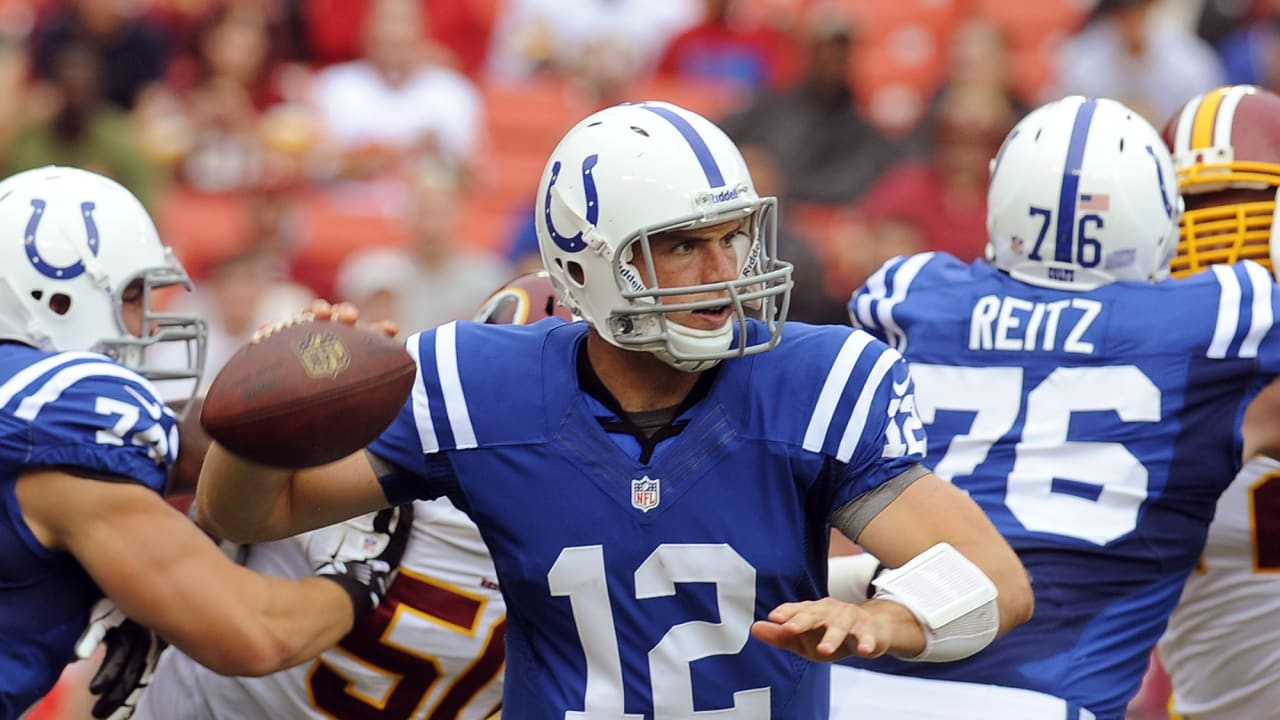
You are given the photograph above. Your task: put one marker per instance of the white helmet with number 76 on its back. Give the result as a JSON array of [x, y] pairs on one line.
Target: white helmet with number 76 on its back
[[1084, 194]]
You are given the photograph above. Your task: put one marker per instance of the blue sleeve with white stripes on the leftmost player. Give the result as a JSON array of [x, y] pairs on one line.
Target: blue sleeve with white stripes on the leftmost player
[[103, 418]]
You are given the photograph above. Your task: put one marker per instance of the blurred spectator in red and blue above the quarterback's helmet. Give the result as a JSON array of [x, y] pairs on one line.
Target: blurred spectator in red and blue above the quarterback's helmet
[[726, 47]]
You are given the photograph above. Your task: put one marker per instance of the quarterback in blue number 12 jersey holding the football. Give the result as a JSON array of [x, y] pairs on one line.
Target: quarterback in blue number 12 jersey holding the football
[[657, 482]]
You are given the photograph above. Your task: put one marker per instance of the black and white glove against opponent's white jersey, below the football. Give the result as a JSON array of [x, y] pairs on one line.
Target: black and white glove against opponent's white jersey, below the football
[[363, 554]]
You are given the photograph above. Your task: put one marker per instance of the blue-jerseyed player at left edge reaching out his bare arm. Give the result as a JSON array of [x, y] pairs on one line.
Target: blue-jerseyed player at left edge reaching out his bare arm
[[85, 449]]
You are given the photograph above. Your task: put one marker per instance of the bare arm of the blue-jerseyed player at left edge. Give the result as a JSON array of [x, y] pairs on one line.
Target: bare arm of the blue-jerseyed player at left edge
[[223, 616]]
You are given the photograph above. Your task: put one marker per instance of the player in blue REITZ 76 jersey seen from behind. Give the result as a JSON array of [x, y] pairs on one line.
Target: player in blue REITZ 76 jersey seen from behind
[[1087, 403]]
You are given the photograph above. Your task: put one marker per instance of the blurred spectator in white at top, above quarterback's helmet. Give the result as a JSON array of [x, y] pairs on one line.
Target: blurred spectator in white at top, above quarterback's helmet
[[536, 37]]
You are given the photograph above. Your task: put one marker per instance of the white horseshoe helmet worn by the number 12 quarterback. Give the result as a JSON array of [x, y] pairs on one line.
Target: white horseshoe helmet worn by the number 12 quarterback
[[628, 174]]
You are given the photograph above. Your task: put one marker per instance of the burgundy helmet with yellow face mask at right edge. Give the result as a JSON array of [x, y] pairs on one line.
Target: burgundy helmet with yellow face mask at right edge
[[1227, 151]]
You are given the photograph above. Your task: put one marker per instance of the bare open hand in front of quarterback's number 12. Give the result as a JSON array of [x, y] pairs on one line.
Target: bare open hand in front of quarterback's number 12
[[824, 631]]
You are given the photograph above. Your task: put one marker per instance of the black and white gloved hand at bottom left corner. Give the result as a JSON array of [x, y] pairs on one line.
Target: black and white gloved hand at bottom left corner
[[129, 663]]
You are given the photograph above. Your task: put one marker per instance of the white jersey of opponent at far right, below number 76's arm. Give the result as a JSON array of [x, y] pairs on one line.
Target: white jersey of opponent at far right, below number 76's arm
[[1223, 644]]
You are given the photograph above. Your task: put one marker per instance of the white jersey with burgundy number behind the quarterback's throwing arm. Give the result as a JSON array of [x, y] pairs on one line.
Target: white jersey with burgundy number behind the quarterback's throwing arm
[[433, 650]]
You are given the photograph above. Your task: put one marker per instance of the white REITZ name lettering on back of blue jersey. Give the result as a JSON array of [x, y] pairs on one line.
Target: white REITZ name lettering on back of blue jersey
[[1013, 323]]
